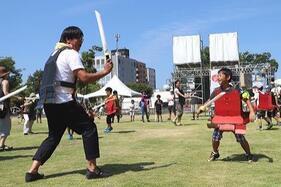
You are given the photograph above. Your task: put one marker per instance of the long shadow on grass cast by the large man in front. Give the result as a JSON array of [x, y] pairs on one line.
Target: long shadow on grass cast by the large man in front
[[115, 169]]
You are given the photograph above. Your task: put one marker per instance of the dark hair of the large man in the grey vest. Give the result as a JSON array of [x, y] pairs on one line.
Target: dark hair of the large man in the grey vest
[[71, 32]]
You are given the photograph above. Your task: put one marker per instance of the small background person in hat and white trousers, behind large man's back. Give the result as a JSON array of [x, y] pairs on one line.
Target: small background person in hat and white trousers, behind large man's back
[[29, 113]]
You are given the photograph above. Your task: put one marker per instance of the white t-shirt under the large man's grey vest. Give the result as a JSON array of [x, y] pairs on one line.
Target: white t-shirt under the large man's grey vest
[[68, 61]]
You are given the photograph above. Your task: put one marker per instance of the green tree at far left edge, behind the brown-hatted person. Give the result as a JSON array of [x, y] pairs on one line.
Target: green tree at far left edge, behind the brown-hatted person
[[15, 75]]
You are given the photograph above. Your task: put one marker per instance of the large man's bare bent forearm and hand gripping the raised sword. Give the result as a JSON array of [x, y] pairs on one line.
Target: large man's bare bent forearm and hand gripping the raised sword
[[86, 77]]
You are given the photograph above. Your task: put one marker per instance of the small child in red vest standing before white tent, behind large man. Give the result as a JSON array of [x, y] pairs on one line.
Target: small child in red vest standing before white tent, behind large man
[[110, 109]]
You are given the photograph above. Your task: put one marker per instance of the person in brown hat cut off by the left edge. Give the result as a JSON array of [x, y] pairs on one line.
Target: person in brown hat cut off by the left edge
[[5, 120]]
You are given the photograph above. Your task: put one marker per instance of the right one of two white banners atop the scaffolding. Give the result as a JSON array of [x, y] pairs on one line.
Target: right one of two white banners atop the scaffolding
[[223, 47]]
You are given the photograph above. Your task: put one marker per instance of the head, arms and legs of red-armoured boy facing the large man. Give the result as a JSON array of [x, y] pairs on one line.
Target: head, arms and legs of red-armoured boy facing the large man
[[224, 78]]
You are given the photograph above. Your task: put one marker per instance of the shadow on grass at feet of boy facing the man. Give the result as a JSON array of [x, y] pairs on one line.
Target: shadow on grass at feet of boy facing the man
[[241, 157]]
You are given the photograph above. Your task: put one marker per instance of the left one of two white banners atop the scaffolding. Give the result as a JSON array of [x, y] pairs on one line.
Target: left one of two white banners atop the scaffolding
[[186, 49]]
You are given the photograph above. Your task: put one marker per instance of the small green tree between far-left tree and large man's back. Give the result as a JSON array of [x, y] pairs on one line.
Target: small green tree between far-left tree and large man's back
[[33, 82]]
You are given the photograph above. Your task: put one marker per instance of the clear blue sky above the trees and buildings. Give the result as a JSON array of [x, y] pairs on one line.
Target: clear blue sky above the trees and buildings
[[30, 28]]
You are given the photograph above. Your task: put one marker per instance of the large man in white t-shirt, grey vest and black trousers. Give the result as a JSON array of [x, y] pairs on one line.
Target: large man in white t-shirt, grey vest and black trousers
[[65, 111]]
